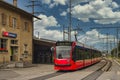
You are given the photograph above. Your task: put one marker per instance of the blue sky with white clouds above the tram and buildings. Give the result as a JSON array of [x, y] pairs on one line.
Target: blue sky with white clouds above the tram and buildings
[[86, 14]]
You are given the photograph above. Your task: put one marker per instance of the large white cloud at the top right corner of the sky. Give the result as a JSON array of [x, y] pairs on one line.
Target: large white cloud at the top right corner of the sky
[[97, 9]]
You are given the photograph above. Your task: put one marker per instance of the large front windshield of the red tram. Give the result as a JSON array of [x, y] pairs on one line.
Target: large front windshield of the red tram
[[63, 52]]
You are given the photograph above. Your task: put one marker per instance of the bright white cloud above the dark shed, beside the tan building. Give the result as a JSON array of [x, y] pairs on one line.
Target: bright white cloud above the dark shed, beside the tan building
[[41, 25]]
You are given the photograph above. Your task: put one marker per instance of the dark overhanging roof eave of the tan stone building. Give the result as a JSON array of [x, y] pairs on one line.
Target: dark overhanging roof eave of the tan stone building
[[16, 9]]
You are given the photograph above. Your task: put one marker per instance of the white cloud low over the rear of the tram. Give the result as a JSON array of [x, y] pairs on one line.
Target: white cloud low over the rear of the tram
[[94, 37]]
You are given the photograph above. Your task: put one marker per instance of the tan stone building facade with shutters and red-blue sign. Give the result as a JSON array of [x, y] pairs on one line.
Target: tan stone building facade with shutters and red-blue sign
[[16, 31]]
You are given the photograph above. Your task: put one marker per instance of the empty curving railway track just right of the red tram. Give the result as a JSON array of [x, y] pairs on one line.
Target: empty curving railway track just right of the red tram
[[104, 68]]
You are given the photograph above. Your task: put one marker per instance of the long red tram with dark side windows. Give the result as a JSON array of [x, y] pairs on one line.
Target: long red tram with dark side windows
[[73, 56]]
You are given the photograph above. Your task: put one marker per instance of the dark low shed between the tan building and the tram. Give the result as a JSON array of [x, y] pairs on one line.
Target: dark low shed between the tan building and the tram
[[42, 51]]
